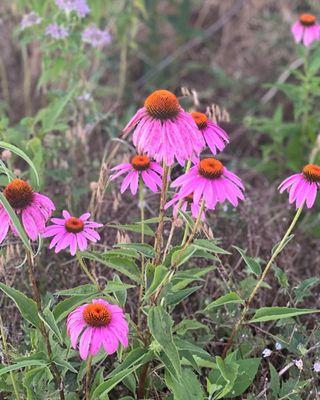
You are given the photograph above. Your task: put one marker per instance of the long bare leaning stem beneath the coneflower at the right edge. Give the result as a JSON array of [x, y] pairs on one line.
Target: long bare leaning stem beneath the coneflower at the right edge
[[245, 310]]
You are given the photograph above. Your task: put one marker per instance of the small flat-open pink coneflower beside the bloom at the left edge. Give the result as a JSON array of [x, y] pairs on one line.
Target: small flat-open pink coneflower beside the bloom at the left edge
[[72, 232]]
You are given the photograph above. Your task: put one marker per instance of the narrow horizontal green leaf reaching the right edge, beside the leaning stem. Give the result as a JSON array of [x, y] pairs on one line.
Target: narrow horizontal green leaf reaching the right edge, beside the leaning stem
[[275, 313]]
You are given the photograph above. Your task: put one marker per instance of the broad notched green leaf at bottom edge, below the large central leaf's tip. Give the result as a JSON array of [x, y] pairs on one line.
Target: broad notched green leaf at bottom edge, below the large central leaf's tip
[[189, 389]]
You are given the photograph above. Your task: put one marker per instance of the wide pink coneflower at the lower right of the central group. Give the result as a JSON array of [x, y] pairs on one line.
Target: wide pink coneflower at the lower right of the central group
[[212, 182]]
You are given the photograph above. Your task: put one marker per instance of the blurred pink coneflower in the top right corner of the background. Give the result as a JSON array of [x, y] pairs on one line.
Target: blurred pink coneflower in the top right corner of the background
[[306, 29]]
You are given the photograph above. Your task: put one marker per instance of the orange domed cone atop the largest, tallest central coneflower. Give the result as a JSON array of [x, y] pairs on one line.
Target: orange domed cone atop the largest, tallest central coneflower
[[162, 104]]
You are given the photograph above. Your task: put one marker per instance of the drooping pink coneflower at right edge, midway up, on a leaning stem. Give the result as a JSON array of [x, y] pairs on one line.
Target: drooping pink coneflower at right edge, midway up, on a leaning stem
[[303, 187]]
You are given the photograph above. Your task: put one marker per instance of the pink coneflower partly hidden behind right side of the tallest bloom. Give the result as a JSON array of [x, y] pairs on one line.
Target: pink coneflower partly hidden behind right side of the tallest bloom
[[215, 137]]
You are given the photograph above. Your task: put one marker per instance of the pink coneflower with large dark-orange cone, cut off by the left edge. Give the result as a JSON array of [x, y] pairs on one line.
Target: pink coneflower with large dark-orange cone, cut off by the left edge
[[34, 208]]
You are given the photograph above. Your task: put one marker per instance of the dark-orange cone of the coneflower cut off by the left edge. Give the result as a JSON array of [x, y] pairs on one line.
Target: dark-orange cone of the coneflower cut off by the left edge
[[18, 193]]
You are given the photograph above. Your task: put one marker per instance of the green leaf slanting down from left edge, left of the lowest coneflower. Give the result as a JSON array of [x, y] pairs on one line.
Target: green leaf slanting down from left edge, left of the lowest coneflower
[[27, 306]]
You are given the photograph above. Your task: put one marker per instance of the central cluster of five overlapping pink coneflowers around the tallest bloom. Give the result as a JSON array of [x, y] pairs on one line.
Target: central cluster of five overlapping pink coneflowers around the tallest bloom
[[164, 131]]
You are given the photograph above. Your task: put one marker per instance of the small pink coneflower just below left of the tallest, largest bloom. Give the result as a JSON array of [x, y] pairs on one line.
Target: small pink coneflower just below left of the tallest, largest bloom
[[139, 165]]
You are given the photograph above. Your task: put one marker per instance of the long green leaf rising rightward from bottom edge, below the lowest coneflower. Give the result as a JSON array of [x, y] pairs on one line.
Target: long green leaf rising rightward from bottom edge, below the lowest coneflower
[[134, 360]]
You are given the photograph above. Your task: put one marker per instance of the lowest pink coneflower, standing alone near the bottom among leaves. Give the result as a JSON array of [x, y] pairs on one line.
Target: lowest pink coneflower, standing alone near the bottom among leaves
[[100, 324]]
